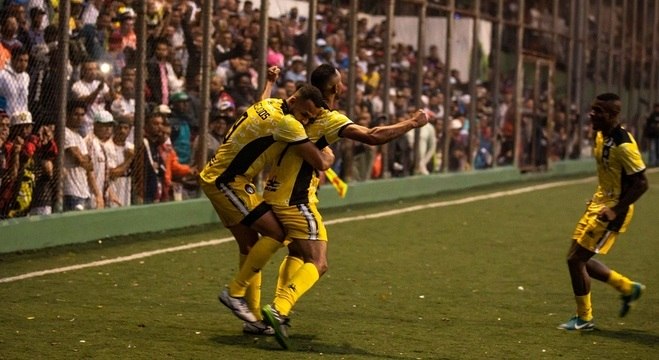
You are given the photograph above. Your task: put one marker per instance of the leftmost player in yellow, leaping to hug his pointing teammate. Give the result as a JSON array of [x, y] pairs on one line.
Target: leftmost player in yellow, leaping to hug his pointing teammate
[[262, 132]]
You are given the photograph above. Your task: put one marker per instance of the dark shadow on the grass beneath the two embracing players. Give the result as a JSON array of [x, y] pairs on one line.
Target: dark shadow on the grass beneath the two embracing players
[[298, 343]]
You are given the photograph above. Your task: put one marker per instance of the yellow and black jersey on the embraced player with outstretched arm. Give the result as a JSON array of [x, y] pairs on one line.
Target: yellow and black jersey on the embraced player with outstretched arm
[[291, 180]]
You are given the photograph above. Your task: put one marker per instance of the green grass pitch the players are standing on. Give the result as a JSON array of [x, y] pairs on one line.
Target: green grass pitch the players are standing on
[[481, 279]]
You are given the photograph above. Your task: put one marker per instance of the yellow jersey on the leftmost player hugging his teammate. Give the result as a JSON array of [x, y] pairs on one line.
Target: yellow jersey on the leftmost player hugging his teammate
[[262, 132]]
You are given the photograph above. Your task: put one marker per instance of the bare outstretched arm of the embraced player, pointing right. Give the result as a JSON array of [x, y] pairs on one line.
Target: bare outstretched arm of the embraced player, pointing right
[[383, 134]]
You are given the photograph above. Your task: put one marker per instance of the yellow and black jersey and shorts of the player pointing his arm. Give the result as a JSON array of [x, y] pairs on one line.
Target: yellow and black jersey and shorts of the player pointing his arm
[[292, 182]]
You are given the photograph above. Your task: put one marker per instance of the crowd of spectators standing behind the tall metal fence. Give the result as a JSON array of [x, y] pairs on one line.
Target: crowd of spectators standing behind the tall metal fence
[[99, 147]]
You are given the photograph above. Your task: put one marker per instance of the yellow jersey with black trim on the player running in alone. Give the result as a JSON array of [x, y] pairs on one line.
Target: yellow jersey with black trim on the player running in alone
[[616, 155]]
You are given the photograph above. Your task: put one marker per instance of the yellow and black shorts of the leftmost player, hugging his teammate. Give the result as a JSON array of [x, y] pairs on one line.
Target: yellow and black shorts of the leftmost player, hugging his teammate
[[235, 202]]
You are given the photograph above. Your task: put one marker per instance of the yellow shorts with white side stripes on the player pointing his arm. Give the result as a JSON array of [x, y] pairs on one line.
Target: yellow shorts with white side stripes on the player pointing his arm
[[302, 222]]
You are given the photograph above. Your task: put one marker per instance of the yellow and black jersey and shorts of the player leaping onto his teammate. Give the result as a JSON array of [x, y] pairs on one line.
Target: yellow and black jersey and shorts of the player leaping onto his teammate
[[261, 133]]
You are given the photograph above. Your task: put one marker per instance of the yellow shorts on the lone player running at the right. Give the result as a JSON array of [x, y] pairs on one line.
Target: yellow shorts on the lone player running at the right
[[599, 236]]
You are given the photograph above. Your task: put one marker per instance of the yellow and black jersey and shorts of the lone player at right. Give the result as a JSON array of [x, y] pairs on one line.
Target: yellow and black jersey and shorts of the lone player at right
[[617, 156]]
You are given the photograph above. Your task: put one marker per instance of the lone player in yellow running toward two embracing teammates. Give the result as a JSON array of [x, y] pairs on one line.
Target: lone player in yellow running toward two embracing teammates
[[622, 181]]
